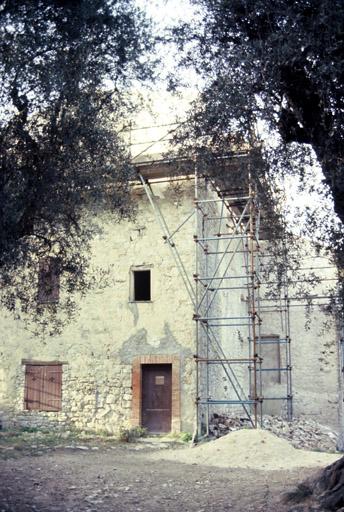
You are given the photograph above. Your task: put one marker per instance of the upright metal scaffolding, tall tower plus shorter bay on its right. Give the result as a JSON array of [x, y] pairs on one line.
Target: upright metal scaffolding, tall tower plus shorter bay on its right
[[228, 238]]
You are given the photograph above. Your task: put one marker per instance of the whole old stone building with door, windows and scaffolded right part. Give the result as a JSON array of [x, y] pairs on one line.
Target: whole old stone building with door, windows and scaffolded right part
[[140, 353]]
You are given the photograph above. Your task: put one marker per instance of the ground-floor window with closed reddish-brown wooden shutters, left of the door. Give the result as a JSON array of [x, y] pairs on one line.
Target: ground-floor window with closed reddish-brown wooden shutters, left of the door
[[43, 387]]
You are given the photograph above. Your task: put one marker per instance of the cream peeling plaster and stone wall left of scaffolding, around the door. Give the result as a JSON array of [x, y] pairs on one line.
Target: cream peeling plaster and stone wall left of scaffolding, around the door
[[100, 345]]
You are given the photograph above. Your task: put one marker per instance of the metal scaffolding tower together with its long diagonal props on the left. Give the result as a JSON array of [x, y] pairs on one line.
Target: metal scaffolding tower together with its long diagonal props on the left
[[226, 238]]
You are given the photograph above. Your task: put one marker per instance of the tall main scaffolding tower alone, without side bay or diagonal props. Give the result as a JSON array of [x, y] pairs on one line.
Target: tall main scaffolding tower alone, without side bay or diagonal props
[[222, 234]]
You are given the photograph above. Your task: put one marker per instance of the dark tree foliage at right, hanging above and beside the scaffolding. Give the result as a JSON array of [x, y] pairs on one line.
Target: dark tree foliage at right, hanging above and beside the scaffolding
[[273, 81]]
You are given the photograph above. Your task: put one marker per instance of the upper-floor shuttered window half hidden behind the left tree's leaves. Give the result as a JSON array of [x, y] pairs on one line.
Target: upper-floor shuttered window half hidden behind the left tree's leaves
[[48, 281]]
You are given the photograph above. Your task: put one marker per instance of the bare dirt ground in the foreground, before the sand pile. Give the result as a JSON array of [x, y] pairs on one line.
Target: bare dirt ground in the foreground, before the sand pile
[[122, 477]]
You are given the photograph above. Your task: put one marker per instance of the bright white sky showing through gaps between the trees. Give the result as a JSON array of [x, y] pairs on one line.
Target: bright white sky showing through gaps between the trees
[[165, 108]]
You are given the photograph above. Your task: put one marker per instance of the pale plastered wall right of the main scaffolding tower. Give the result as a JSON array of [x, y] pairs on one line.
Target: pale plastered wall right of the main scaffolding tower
[[316, 379]]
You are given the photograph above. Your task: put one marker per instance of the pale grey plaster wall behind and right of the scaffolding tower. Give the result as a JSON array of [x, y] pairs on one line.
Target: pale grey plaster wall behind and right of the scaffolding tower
[[315, 375]]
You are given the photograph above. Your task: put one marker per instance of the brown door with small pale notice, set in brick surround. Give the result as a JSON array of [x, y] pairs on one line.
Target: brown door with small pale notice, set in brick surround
[[157, 397]]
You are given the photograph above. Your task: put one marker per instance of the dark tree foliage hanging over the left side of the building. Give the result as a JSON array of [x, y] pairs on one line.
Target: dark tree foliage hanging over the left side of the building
[[65, 71]]
